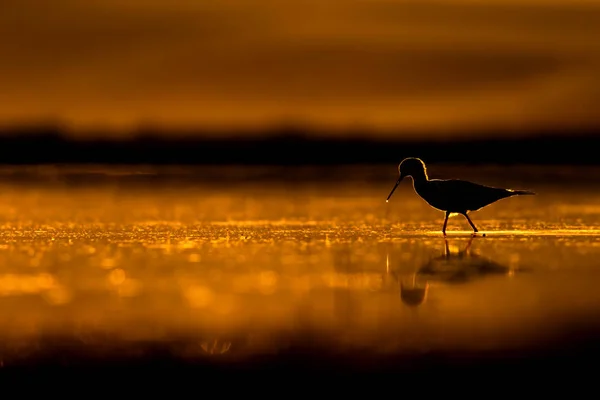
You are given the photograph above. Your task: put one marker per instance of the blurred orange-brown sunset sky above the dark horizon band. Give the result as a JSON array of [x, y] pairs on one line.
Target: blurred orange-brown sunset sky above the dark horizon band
[[389, 65]]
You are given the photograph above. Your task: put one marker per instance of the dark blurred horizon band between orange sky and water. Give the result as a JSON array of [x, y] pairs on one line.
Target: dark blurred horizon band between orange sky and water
[[292, 147]]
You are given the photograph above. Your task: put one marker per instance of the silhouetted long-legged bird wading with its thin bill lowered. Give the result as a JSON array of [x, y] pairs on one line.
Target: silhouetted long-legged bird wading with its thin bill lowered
[[452, 196]]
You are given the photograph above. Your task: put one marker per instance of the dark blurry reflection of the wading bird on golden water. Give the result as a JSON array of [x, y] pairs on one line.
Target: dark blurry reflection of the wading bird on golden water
[[448, 268]]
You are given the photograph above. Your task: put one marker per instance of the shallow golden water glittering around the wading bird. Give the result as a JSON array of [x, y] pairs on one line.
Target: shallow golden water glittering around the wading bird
[[119, 256]]
